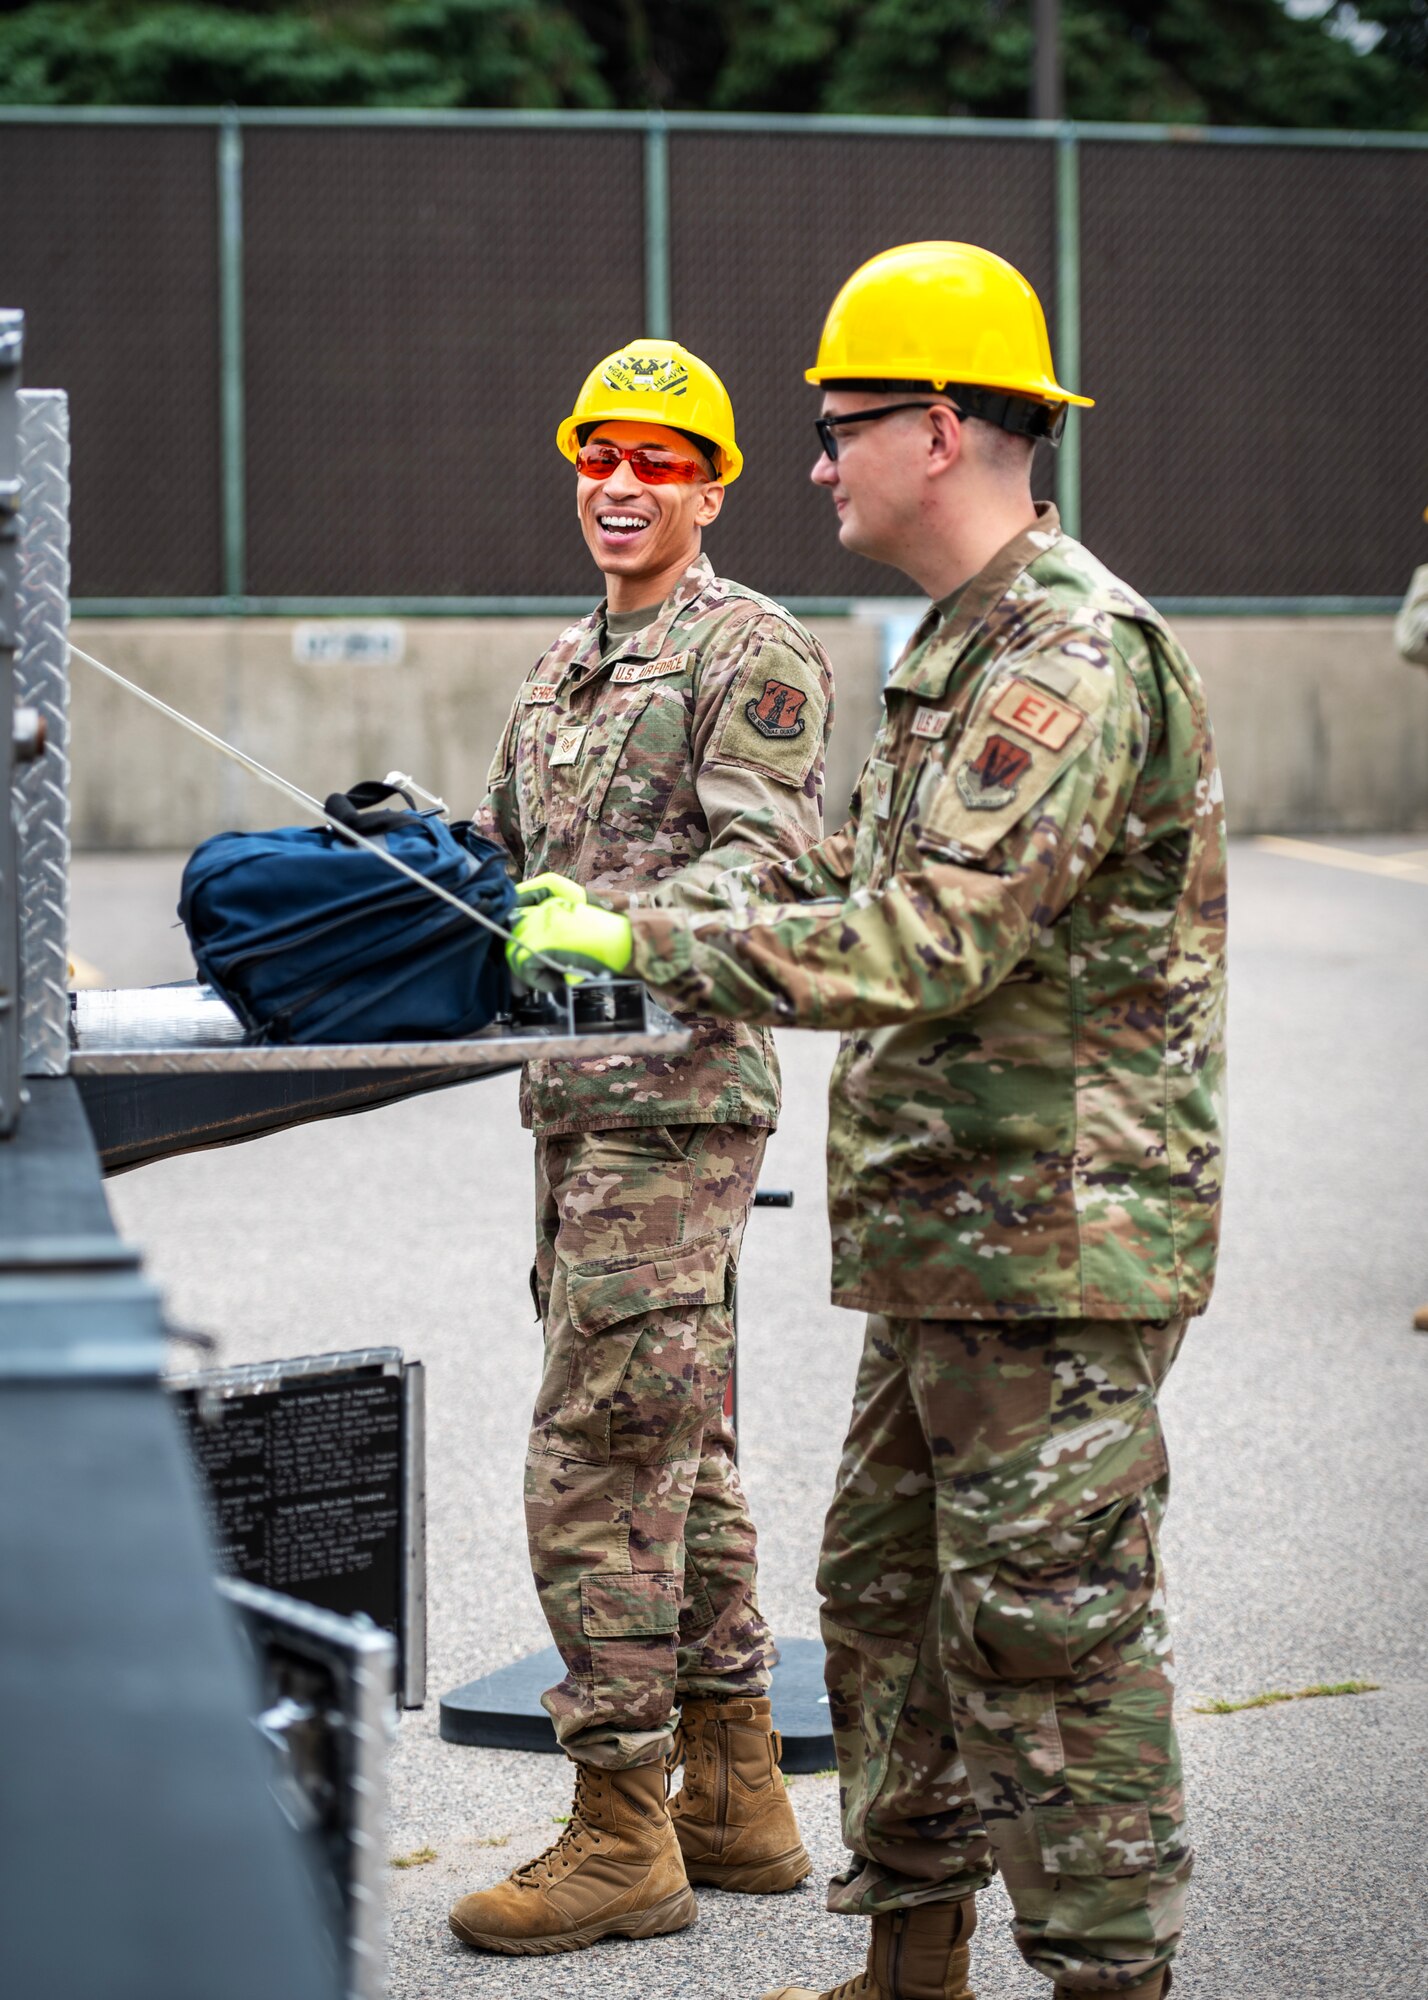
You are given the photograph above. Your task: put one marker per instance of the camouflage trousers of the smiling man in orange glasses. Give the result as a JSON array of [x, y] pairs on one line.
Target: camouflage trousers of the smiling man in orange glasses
[[641, 1539]]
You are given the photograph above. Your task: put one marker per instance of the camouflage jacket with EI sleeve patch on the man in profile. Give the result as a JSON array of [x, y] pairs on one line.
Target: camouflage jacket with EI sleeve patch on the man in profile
[[1023, 935]]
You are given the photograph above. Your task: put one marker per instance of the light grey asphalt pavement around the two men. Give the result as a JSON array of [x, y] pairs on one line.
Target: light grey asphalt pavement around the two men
[[1295, 1417]]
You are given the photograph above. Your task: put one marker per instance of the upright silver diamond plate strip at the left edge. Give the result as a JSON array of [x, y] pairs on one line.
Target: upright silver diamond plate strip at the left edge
[[43, 681]]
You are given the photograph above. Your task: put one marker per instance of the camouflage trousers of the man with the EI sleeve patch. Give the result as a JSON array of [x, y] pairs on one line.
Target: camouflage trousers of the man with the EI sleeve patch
[[999, 1659]]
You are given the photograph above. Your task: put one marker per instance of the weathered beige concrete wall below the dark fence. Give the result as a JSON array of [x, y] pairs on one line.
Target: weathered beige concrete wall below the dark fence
[[1321, 727]]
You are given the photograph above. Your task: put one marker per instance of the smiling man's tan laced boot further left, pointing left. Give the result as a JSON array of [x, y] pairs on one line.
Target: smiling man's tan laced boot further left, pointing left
[[615, 1873]]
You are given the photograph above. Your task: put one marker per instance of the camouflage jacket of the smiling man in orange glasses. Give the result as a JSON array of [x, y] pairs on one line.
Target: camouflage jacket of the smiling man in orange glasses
[[697, 745]]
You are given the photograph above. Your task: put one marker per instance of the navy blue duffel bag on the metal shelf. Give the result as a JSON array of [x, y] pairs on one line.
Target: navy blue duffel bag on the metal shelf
[[311, 939]]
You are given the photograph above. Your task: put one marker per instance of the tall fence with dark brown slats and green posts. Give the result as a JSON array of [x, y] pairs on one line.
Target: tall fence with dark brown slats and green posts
[[319, 359]]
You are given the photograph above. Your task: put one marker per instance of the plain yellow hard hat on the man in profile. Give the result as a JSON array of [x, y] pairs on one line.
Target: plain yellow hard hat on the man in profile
[[953, 319]]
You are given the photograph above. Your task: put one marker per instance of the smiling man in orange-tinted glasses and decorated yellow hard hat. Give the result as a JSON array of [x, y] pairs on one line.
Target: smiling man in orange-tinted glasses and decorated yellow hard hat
[[677, 731]]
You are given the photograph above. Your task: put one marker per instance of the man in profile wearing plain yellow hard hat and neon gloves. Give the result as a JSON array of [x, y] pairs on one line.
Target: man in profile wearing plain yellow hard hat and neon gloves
[[1021, 935]]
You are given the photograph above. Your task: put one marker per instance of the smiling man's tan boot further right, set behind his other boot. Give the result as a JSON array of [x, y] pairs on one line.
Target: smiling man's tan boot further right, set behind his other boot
[[733, 1819]]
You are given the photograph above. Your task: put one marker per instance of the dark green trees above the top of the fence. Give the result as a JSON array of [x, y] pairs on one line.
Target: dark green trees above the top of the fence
[[1163, 61]]
